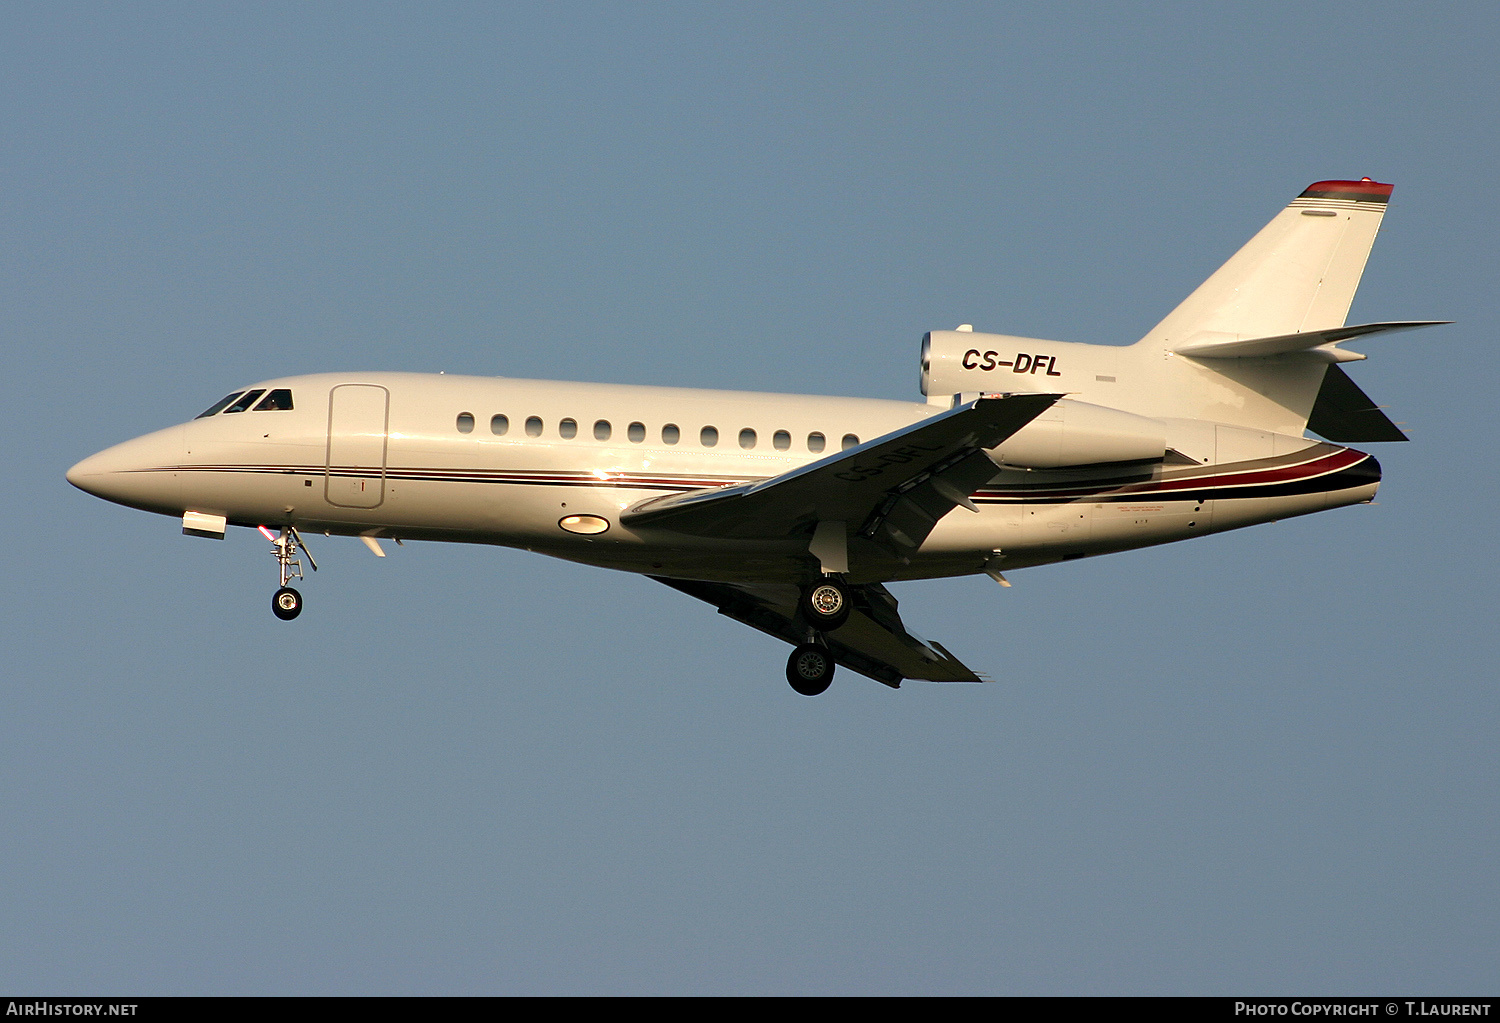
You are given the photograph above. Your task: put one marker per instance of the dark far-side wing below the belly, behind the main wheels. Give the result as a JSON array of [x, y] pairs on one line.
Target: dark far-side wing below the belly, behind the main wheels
[[874, 641]]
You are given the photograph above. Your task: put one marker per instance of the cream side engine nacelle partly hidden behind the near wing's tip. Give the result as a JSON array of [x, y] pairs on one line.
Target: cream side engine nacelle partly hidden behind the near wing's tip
[[1081, 434]]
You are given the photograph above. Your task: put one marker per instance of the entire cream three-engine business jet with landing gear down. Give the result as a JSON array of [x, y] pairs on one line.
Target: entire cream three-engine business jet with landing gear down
[[791, 512]]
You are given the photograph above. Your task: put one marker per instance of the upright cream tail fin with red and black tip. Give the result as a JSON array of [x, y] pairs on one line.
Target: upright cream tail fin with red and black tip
[[1298, 274]]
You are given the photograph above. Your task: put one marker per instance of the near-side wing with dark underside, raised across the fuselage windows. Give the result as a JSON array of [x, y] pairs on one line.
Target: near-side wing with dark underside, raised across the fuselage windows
[[892, 490]]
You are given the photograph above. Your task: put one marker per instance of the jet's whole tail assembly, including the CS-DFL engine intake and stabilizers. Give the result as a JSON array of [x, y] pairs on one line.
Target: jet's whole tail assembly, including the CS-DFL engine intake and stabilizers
[[1255, 349]]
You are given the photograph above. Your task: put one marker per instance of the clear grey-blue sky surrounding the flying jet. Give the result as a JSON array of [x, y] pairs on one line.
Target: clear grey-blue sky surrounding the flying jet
[[1259, 763]]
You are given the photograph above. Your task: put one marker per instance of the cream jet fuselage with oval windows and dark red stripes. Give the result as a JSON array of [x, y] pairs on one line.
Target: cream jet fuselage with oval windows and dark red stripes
[[415, 457]]
